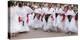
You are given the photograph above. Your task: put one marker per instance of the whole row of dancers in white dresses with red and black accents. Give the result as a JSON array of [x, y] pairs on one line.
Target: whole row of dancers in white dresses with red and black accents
[[47, 18]]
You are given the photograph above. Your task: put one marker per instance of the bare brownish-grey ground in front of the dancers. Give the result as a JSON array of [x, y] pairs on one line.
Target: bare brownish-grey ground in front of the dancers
[[39, 34]]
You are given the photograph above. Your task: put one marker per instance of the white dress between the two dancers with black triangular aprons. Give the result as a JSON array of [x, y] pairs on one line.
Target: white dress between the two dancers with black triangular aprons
[[59, 18]]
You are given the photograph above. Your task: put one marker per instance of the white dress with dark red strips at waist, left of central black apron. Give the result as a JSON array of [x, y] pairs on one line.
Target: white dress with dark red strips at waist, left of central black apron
[[37, 23]]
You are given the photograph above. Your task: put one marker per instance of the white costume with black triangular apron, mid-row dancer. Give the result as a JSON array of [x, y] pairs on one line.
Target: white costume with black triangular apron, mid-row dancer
[[47, 22]]
